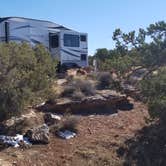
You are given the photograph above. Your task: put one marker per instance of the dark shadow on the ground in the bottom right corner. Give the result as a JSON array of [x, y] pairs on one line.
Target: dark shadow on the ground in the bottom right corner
[[148, 148]]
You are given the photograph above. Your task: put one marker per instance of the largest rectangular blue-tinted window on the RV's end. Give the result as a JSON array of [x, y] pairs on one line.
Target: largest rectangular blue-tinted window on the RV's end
[[71, 40]]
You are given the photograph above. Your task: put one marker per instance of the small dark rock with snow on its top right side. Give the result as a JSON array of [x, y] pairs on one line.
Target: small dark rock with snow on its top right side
[[51, 119]]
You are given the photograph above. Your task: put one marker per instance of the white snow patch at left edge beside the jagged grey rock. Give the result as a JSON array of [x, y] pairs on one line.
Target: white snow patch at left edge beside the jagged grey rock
[[14, 141]]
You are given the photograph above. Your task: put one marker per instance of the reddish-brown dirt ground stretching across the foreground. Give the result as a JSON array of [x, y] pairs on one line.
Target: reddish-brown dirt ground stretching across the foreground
[[96, 143]]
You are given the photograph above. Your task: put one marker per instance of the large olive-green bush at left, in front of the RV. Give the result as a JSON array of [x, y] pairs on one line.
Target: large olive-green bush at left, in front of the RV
[[26, 76]]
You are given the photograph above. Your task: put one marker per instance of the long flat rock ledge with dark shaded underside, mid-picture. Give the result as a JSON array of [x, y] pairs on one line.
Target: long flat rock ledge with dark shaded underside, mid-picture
[[102, 99]]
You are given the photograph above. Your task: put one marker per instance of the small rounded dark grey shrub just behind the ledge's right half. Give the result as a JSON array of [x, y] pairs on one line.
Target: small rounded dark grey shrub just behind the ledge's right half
[[104, 80]]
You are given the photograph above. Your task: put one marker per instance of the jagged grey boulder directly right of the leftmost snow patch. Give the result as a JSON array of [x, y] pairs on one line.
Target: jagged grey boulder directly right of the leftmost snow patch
[[39, 134]]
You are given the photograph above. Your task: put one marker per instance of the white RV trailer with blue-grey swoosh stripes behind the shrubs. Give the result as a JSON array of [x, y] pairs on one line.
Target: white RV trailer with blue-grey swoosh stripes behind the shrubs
[[69, 46]]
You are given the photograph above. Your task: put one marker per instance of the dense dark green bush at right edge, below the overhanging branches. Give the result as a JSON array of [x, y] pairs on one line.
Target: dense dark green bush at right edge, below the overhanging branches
[[154, 91]]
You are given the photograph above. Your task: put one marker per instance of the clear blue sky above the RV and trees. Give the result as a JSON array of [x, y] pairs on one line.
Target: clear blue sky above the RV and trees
[[98, 18]]
